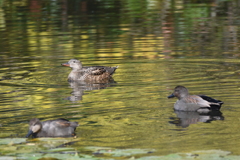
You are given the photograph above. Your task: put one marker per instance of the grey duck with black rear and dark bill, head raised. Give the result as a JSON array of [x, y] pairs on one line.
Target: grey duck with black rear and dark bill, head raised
[[199, 103]]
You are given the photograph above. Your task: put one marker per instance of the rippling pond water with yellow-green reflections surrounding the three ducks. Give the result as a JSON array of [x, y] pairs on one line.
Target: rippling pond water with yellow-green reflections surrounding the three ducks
[[157, 46]]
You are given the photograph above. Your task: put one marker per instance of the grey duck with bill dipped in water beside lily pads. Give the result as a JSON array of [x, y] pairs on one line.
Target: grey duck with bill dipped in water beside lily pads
[[51, 128]]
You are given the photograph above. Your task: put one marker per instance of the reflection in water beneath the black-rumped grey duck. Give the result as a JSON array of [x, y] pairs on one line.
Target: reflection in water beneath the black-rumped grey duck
[[184, 119]]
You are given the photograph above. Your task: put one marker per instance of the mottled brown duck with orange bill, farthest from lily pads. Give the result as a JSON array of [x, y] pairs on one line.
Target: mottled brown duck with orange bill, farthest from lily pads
[[92, 73]]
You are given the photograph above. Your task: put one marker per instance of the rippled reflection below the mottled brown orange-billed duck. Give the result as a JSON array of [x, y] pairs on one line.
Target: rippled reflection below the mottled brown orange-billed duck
[[80, 86]]
